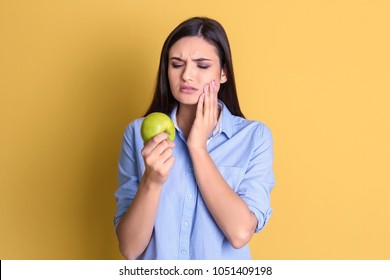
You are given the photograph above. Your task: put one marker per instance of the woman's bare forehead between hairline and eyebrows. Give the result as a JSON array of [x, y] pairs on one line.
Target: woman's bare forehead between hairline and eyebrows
[[193, 47]]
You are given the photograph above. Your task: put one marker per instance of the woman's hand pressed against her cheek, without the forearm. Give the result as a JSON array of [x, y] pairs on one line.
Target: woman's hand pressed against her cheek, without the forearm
[[206, 117]]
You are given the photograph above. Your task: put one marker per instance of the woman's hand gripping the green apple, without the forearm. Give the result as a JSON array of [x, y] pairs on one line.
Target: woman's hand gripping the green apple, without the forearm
[[158, 158]]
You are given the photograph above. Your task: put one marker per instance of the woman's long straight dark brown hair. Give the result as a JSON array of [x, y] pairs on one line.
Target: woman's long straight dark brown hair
[[213, 32]]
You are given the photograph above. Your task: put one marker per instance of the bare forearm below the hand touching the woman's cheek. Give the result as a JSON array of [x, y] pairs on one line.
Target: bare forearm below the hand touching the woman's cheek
[[229, 211]]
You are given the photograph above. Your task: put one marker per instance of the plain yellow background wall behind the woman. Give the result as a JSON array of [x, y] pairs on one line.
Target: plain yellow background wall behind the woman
[[73, 74]]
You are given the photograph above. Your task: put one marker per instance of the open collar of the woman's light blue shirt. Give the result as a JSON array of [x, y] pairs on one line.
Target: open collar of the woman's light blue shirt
[[223, 124]]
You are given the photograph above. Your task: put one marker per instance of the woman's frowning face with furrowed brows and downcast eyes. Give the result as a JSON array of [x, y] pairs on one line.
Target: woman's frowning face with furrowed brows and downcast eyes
[[193, 63]]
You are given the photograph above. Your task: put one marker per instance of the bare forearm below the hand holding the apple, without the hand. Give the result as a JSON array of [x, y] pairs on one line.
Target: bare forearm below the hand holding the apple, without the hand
[[136, 226]]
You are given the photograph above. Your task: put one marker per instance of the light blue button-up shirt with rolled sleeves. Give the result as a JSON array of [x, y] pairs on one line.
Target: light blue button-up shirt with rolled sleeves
[[184, 228]]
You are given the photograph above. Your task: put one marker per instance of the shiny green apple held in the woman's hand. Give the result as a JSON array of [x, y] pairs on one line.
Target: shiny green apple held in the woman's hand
[[156, 123]]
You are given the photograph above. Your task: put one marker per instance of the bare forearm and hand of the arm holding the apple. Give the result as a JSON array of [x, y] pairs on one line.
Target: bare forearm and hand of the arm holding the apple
[[136, 226]]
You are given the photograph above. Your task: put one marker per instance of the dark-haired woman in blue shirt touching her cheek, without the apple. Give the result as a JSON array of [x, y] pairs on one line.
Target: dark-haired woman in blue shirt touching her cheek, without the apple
[[203, 195]]
